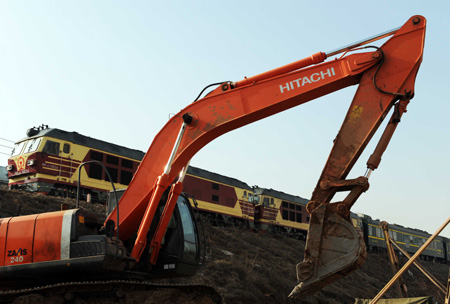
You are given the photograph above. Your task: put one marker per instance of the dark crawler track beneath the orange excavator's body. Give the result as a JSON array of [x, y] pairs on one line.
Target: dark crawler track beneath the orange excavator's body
[[113, 291]]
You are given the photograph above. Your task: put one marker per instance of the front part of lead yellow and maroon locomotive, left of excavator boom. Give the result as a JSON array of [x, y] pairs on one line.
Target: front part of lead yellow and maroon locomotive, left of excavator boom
[[48, 160]]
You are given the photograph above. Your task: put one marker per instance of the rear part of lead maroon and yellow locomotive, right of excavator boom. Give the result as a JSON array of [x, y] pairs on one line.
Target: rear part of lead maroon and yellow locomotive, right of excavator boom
[[223, 200]]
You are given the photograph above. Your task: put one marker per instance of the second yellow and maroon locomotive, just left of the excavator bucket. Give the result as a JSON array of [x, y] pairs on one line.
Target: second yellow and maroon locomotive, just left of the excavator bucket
[[280, 212]]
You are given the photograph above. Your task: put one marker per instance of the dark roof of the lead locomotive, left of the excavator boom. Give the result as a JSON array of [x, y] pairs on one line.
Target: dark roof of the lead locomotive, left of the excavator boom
[[87, 141]]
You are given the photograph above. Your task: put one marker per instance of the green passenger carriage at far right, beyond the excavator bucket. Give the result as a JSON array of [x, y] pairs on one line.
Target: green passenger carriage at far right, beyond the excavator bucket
[[408, 239]]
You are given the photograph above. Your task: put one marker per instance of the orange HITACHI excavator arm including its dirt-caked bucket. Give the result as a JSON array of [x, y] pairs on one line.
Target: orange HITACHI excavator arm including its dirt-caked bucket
[[386, 77]]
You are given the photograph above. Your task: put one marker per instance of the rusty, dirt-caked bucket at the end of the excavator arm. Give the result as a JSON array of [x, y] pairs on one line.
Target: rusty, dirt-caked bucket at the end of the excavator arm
[[334, 248]]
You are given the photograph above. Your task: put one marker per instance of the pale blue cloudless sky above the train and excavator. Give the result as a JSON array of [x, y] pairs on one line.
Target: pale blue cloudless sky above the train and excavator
[[117, 70]]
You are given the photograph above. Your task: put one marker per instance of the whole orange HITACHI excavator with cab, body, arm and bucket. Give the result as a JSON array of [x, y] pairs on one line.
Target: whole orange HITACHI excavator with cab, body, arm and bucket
[[152, 231]]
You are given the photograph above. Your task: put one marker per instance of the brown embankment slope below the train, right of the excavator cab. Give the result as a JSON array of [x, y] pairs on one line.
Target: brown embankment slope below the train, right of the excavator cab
[[249, 267]]
